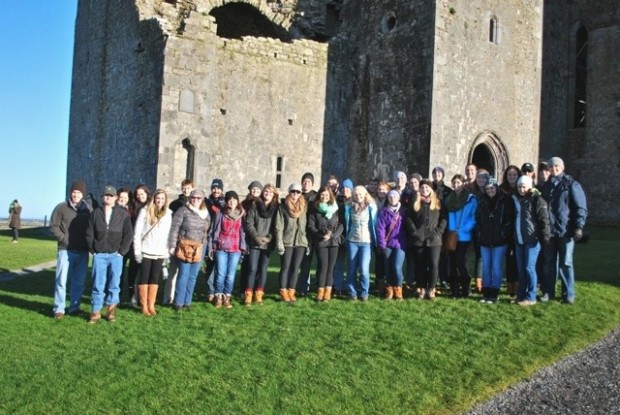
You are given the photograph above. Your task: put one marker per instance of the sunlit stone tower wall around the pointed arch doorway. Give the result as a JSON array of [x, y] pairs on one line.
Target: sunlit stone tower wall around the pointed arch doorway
[[485, 87]]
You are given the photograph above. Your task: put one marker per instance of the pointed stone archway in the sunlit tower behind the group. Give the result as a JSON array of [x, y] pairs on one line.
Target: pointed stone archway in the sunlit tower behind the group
[[488, 152]]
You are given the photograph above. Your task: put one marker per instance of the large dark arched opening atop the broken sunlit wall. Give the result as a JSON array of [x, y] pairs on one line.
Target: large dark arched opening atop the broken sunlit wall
[[235, 20]]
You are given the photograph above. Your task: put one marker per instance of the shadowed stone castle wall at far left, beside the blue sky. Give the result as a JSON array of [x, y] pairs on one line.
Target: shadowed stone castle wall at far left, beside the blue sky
[[116, 96]]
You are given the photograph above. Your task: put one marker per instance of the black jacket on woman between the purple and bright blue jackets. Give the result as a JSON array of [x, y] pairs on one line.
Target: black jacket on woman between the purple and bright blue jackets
[[425, 227]]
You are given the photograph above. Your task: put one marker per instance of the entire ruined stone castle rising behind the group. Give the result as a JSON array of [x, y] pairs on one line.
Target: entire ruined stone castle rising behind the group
[[269, 89]]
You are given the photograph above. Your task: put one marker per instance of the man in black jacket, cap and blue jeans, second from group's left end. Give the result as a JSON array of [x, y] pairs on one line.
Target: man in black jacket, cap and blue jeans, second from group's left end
[[109, 235]]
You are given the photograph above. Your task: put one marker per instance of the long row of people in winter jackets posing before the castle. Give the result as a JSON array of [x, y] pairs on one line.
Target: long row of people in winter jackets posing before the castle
[[418, 229]]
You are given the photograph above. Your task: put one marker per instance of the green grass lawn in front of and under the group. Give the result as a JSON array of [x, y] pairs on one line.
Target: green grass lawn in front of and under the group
[[414, 357]]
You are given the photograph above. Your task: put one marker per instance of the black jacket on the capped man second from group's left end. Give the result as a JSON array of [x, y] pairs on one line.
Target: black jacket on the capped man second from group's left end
[[109, 238]]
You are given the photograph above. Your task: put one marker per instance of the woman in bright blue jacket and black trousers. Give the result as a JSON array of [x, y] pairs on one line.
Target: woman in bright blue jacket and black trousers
[[461, 206]]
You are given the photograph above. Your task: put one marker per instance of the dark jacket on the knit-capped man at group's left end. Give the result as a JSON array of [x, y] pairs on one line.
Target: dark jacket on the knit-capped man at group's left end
[[68, 224]]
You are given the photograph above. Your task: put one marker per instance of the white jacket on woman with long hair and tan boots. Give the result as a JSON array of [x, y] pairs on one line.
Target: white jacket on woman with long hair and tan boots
[[151, 240]]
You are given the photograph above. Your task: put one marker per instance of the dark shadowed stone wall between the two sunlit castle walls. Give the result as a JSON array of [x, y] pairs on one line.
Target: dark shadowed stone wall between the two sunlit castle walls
[[379, 89]]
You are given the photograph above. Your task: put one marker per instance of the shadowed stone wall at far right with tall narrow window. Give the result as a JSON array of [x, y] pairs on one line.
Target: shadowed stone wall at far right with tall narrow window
[[591, 154]]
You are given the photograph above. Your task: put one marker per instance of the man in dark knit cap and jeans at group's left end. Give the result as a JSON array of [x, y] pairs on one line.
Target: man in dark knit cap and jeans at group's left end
[[68, 224]]
